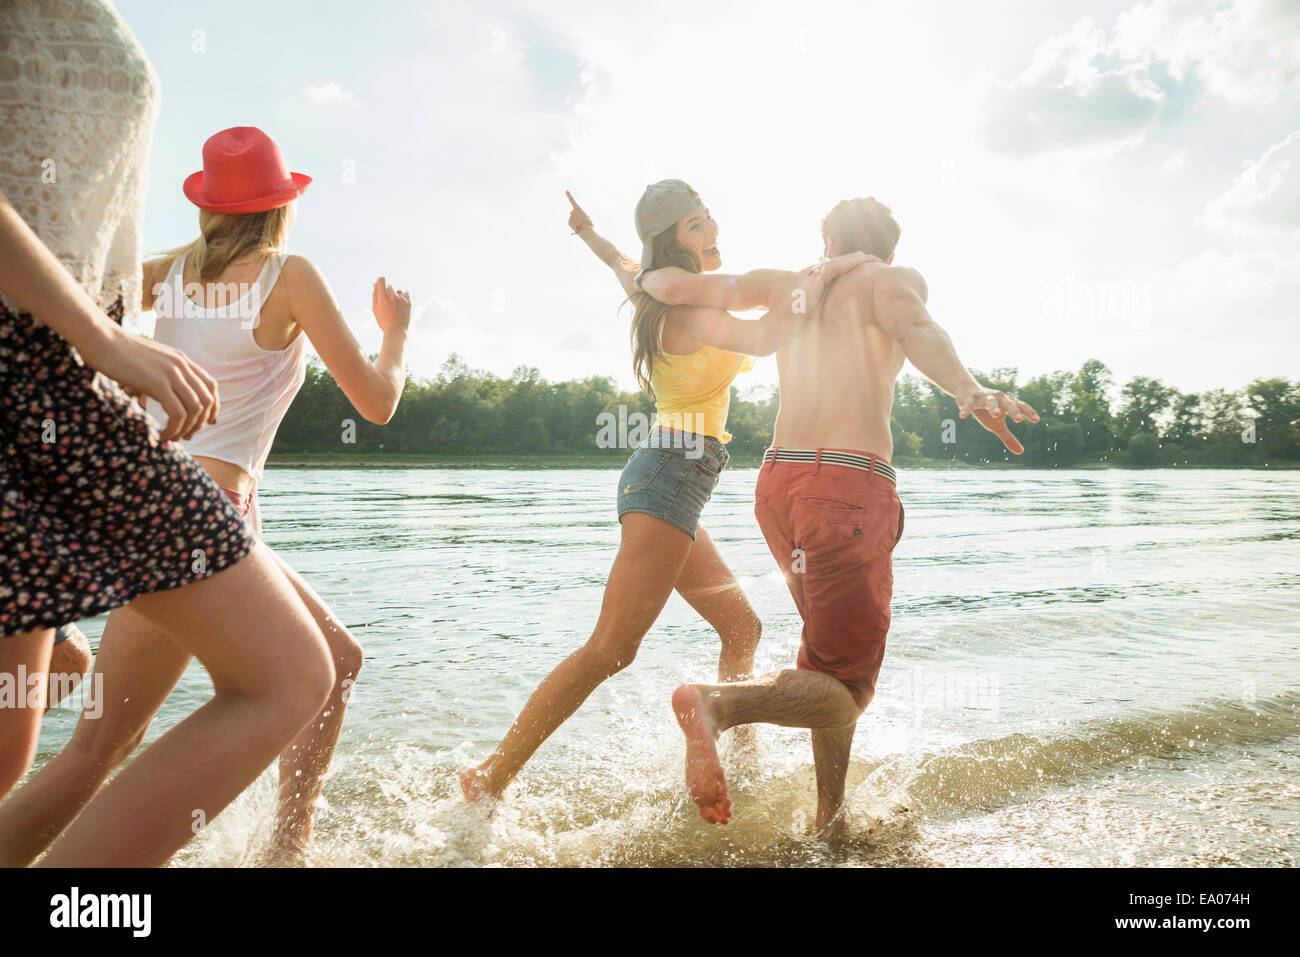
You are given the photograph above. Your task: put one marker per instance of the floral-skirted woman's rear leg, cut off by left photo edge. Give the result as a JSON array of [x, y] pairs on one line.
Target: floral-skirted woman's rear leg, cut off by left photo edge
[[23, 657]]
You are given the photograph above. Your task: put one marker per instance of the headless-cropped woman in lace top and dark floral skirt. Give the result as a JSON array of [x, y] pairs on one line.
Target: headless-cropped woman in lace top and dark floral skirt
[[98, 506]]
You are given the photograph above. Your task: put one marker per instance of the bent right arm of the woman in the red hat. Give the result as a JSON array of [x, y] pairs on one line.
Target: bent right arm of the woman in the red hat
[[376, 389]]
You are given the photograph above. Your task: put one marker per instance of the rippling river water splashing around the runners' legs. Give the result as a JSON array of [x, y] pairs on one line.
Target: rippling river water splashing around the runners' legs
[[1085, 668]]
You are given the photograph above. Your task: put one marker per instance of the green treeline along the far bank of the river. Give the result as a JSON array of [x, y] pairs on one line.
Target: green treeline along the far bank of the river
[[469, 412]]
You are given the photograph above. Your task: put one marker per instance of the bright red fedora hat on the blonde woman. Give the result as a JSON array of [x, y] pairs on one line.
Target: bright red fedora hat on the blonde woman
[[244, 172]]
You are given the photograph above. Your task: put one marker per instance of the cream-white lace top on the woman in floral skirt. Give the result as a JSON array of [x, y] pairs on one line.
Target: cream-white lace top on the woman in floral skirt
[[79, 101]]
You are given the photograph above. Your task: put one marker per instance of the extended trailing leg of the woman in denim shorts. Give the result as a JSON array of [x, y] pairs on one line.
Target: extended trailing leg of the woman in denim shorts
[[649, 562]]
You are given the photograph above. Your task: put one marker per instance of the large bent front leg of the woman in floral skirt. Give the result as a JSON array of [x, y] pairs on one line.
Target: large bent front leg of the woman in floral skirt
[[266, 691]]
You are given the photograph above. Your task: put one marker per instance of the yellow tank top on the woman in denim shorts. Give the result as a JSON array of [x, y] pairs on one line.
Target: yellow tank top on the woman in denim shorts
[[694, 392]]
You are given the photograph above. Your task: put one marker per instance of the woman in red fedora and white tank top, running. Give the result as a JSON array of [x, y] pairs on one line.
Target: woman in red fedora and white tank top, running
[[244, 313]]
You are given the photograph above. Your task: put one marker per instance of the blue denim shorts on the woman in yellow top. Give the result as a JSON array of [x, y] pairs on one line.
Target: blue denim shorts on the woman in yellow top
[[673, 479]]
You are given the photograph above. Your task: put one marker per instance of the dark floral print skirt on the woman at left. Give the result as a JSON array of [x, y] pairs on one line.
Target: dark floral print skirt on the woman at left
[[94, 509]]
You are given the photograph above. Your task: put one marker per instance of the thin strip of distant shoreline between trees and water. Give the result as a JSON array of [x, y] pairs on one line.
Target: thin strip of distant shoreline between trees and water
[[612, 462]]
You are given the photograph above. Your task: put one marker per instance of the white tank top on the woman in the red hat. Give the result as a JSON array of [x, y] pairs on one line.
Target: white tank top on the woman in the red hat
[[255, 386]]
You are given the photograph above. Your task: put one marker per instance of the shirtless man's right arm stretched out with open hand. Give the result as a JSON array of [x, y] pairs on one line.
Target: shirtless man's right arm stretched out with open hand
[[899, 298]]
